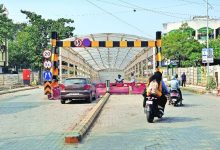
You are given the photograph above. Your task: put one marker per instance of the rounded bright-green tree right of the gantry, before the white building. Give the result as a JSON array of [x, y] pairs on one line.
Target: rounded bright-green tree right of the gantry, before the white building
[[180, 45]]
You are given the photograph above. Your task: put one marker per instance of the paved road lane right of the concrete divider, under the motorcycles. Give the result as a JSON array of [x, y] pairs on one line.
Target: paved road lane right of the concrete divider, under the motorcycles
[[122, 126]]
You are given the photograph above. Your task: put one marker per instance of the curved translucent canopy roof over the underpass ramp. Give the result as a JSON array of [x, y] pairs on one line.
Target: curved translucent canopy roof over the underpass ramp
[[101, 58]]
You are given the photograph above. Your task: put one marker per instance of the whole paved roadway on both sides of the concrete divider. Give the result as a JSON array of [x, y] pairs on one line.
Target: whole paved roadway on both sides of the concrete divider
[[28, 121]]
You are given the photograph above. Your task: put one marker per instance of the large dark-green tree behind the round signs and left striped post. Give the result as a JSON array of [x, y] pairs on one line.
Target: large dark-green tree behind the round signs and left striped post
[[39, 31]]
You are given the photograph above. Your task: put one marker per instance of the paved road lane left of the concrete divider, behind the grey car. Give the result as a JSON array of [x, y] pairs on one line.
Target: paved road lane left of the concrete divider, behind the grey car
[[28, 121]]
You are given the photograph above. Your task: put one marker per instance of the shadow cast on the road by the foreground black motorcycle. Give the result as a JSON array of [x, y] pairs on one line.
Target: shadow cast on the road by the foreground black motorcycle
[[176, 119]]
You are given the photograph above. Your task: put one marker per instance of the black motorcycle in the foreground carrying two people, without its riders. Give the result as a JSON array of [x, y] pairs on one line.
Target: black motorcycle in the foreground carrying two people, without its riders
[[152, 109]]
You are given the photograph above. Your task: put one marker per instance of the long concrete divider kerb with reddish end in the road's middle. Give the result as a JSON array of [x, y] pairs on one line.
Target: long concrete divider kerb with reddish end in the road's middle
[[76, 135]]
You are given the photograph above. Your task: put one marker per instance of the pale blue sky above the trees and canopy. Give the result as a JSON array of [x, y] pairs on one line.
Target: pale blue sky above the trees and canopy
[[137, 17]]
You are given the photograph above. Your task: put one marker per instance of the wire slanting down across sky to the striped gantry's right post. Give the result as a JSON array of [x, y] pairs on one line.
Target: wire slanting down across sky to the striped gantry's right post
[[121, 20]]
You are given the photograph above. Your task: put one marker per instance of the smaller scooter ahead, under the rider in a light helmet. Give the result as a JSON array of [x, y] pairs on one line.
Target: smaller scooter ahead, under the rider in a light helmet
[[174, 98]]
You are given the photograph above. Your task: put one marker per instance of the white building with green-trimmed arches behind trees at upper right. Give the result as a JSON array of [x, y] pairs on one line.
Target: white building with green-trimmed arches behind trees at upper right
[[198, 26]]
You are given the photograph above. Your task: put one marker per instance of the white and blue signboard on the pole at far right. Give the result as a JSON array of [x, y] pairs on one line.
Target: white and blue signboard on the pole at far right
[[207, 55]]
